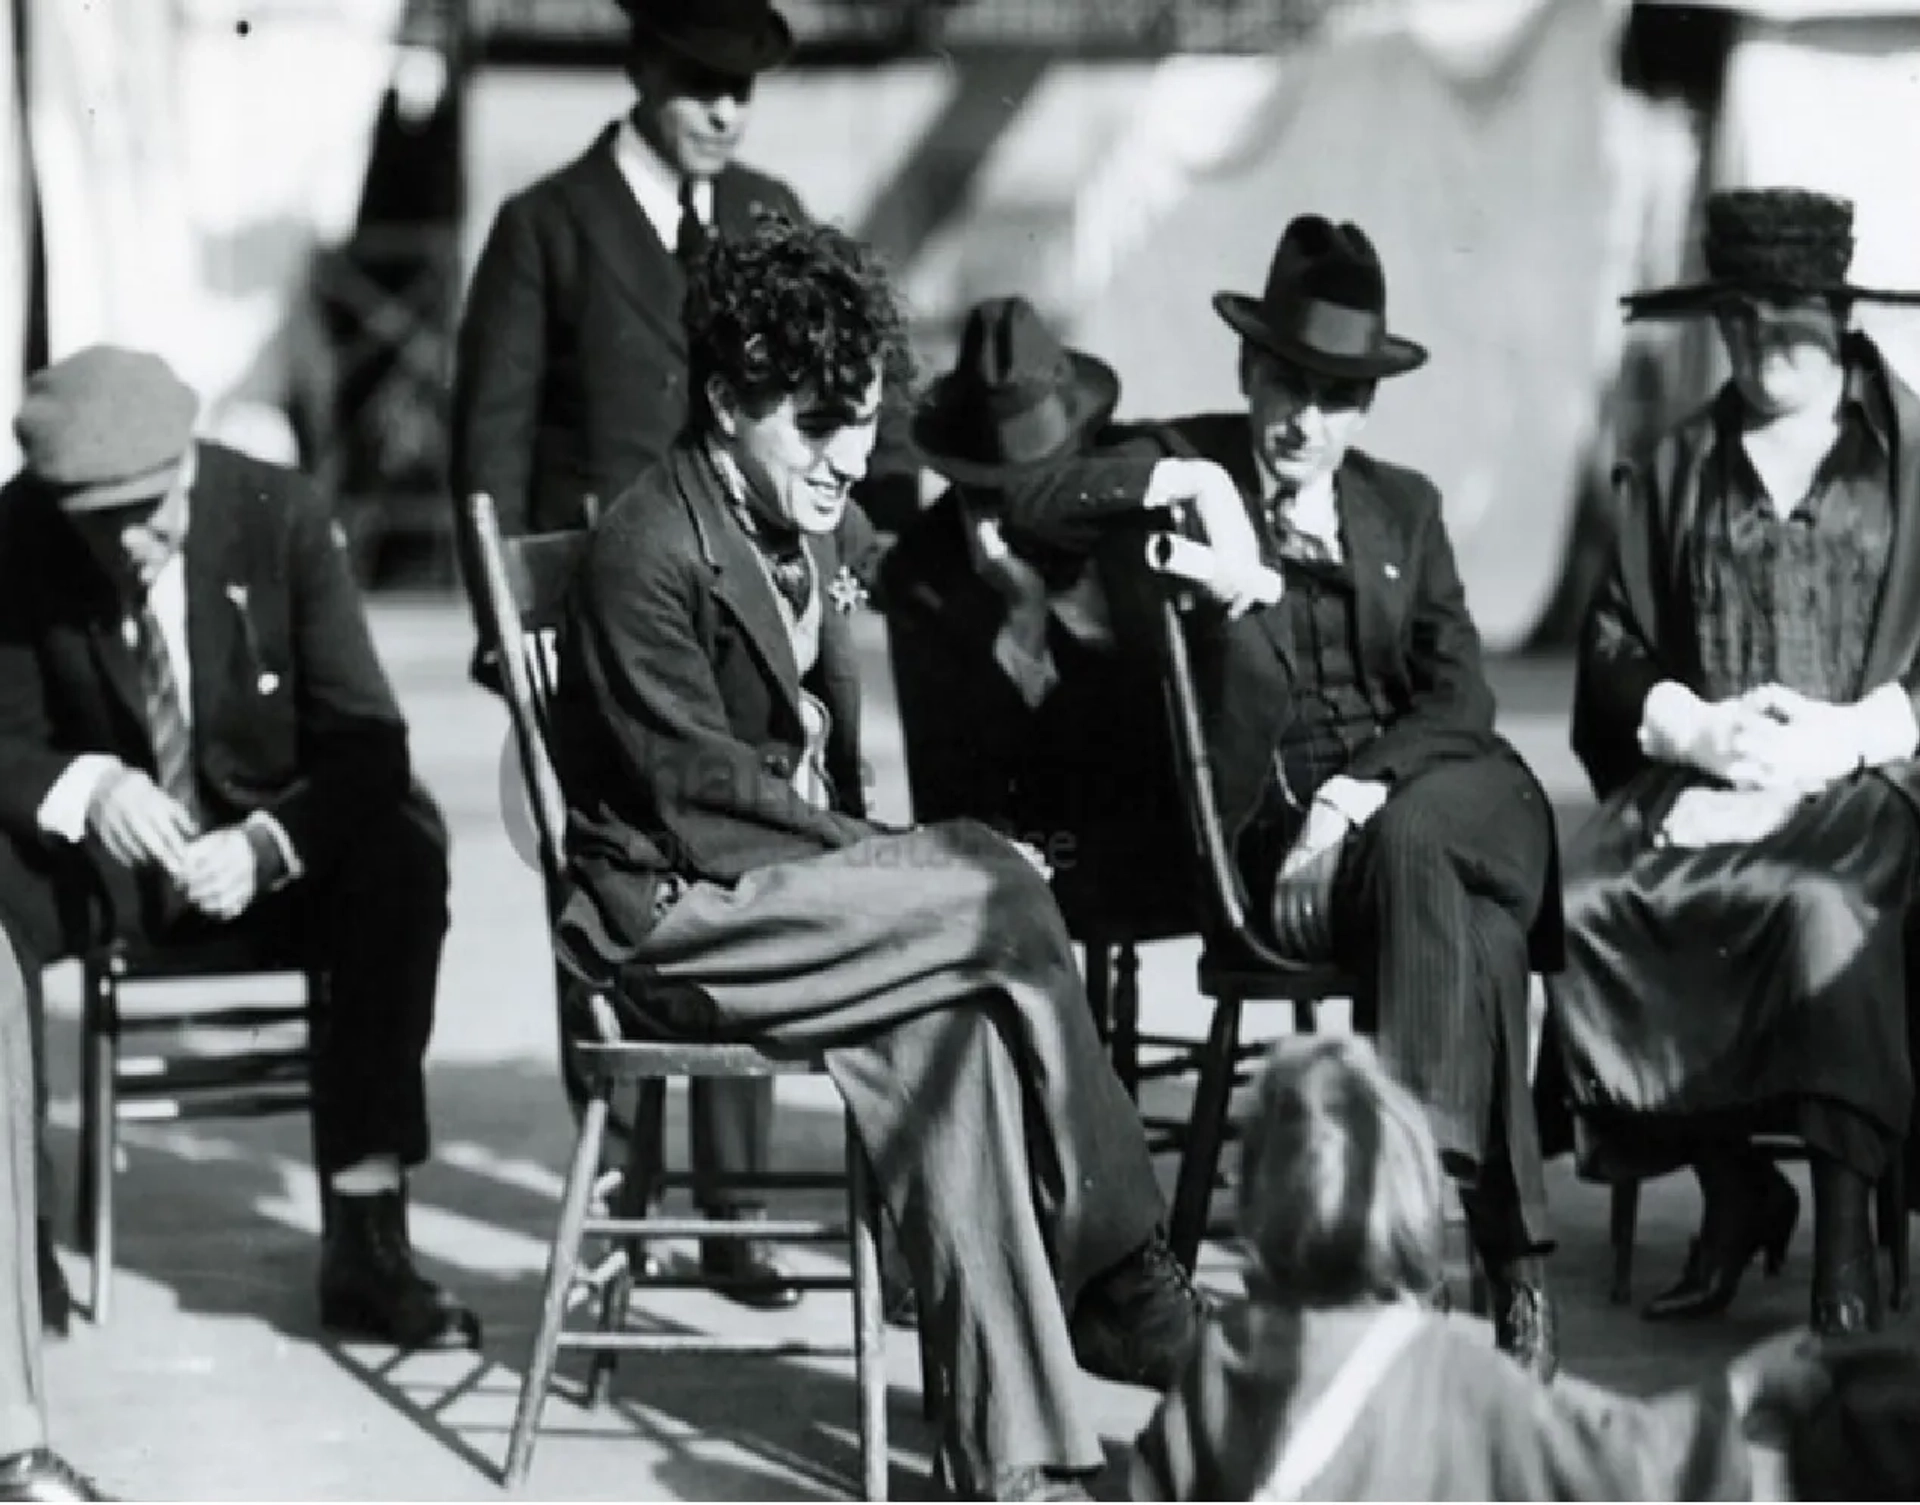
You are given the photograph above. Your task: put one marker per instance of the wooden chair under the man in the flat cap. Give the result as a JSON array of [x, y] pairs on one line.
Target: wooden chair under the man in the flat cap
[[174, 1078]]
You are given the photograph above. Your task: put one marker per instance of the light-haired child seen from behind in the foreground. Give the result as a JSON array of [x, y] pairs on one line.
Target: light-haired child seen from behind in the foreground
[[1337, 1383]]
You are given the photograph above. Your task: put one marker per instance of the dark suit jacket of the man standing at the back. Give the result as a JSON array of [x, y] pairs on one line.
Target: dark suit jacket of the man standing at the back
[[571, 371]]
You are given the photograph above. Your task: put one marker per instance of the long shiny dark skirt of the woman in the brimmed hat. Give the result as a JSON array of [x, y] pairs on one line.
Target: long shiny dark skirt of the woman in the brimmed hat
[[1731, 990]]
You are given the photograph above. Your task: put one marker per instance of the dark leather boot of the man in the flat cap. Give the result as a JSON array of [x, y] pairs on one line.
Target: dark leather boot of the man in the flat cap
[[370, 1287]]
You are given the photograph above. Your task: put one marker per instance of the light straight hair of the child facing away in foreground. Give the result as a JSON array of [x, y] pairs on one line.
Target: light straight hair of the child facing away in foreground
[[1339, 1178]]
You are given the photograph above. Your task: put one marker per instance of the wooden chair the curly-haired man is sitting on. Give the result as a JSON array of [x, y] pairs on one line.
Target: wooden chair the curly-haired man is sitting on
[[523, 586]]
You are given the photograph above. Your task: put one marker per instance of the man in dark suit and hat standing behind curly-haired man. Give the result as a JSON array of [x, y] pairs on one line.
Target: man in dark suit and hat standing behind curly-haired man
[[571, 371]]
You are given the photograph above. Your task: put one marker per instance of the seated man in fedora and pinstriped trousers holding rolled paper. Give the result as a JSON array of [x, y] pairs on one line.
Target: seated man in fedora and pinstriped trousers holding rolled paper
[[1376, 815]]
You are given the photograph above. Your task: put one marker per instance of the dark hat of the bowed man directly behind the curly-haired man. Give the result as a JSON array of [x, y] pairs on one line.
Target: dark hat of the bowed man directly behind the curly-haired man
[[1015, 400]]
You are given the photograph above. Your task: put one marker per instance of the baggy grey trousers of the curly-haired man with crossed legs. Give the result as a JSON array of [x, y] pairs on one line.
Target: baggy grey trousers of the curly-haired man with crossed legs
[[936, 974]]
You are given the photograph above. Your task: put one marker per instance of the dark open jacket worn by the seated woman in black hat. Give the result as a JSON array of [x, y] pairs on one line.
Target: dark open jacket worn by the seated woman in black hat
[[1641, 629]]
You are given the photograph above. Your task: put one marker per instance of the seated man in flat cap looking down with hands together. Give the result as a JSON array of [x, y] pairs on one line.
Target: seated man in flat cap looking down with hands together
[[197, 734]]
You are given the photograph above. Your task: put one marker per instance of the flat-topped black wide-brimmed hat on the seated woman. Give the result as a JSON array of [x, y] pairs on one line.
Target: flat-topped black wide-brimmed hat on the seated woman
[[1781, 243]]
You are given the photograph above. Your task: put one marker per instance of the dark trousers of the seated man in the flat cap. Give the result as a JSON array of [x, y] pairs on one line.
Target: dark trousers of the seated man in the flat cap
[[375, 922]]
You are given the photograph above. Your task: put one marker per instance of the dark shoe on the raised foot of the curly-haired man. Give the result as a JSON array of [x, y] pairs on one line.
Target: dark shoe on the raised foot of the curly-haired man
[[1141, 1322]]
